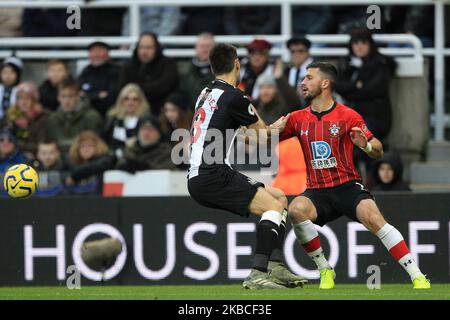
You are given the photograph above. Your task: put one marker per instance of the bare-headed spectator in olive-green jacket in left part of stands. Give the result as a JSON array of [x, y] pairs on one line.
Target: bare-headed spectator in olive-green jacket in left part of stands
[[72, 117]]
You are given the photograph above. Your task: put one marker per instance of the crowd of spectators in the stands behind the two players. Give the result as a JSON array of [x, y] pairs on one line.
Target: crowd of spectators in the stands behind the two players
[[112, 115]]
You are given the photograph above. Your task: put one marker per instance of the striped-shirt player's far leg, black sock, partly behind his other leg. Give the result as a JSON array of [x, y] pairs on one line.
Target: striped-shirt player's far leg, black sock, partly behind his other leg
[[276, 267]]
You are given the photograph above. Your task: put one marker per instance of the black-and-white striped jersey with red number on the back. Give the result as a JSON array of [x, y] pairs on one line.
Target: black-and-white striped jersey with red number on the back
[[220, 108]]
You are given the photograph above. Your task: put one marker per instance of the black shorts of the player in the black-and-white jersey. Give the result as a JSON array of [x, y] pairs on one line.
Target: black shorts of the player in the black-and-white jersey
[[221, 187]]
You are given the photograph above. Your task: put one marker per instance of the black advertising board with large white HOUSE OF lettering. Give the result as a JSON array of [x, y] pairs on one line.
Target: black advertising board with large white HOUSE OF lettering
[[172, 240]]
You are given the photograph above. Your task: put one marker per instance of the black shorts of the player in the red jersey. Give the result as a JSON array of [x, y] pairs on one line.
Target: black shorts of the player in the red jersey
[[332, 203]]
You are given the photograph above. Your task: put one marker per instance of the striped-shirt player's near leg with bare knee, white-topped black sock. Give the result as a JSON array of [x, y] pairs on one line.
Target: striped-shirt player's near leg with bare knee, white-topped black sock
[[270, 210]]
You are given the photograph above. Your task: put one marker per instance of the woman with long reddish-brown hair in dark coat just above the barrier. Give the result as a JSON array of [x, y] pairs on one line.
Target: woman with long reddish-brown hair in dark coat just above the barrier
[[89, 157]]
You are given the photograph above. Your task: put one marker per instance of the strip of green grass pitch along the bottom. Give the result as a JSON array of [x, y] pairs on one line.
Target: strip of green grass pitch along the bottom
[[227, 292]]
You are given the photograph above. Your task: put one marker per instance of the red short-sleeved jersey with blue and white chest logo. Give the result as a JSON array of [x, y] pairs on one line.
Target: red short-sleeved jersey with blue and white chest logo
[[326, 143]]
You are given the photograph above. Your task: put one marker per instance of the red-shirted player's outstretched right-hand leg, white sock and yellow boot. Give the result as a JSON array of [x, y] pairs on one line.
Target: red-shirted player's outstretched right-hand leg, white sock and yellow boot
[[370, 216]]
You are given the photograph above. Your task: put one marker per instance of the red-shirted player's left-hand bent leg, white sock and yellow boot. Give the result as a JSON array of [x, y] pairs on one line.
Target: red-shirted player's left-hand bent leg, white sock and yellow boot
[[303, 213]]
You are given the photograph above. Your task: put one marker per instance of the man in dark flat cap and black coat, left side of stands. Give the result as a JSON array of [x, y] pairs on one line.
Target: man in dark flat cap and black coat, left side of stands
[[98, 80]]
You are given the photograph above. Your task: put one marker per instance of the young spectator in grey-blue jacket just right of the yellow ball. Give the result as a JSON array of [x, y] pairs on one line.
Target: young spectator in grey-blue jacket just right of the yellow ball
[[51, 169]]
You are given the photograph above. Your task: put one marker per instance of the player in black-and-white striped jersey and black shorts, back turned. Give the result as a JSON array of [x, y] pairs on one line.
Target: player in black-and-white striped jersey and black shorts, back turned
[[213, 183]]
